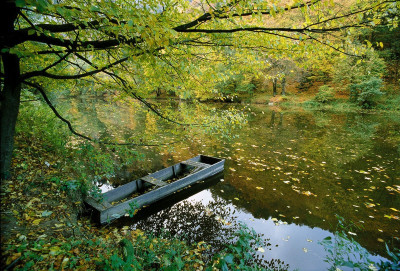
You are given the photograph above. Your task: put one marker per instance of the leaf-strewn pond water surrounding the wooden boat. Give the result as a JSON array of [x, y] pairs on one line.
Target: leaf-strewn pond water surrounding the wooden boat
[[287, 175]]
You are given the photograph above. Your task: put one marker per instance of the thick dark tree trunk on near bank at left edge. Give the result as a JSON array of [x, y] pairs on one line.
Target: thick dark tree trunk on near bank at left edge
[[10, 98]]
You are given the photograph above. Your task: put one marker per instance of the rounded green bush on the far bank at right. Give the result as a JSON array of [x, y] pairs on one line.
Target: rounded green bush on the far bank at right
[[366, 93]]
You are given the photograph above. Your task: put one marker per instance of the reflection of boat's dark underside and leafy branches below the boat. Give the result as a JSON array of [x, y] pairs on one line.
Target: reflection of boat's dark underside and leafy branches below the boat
[[197, 219]]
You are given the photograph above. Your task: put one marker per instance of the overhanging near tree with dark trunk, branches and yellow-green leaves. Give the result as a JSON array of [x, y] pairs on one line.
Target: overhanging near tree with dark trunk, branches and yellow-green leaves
[[136, 47]]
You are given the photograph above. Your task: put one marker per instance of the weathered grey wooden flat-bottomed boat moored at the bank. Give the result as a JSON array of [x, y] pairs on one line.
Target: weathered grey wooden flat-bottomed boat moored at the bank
[[117, 202]]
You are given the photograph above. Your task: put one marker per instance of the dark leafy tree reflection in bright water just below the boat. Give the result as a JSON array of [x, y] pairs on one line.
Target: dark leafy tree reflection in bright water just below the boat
[[214, 223]]
